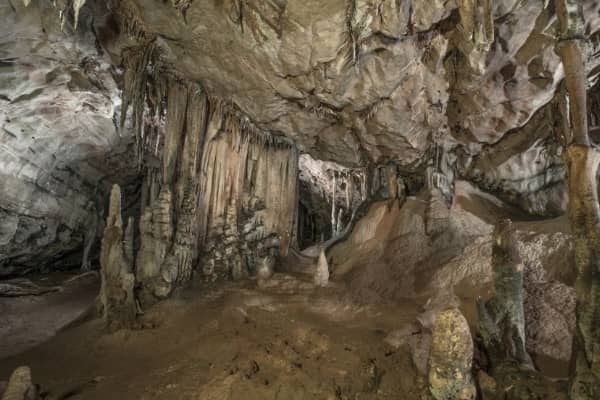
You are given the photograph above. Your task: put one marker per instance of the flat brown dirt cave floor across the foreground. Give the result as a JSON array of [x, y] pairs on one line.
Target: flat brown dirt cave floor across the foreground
[[235, 341]]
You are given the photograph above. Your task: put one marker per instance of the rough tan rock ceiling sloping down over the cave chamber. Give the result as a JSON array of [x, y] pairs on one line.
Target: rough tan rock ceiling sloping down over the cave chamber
[[368, 81]]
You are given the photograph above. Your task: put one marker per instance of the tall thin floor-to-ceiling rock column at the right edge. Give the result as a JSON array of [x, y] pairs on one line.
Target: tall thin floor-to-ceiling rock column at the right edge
[[581, 161]]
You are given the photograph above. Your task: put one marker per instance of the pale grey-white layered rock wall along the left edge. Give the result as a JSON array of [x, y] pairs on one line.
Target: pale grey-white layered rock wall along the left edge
[[57, 136]]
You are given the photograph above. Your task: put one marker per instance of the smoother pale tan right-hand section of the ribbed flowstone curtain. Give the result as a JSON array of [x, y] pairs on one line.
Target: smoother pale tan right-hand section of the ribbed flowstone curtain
[[242, 165]]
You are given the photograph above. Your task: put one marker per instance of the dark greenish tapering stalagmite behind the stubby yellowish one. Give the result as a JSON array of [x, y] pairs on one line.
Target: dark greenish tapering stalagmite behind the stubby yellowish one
[[502, 319]]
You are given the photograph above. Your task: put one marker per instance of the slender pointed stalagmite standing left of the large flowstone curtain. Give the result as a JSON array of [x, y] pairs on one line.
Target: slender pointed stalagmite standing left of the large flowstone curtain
[[116, 293]]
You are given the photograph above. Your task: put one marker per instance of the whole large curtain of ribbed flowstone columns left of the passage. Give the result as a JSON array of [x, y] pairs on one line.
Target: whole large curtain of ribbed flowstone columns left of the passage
[[218, 196]]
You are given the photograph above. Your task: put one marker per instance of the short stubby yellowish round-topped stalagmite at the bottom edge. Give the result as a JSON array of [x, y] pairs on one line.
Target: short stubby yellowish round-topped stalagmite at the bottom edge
[[450, 358]]
